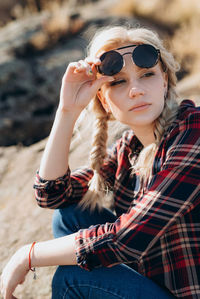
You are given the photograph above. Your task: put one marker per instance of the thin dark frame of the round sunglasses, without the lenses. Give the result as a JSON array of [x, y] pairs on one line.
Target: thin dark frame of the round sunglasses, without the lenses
[[132, 56]]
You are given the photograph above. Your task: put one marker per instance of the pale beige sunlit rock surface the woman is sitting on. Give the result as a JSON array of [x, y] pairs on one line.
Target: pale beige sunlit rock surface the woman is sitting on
[[21, 220]]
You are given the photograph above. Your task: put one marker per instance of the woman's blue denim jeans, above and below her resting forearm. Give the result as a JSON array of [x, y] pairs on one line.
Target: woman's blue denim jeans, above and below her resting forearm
[[119, 281]]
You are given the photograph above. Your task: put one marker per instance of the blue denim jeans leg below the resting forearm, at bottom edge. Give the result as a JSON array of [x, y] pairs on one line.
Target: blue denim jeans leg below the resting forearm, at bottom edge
[[118, 281]]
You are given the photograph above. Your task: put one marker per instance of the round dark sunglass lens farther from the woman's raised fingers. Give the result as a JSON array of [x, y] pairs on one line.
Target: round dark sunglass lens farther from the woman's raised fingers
[[145, 56]]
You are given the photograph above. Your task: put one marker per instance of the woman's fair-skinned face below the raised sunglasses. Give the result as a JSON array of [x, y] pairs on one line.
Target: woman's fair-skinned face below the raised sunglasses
[[136, 96]]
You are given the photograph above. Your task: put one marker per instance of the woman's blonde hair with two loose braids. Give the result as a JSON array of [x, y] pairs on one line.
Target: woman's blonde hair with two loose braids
[[107, 39]]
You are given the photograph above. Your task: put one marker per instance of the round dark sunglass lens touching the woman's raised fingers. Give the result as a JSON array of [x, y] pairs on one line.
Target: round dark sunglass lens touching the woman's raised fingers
[[111, 63]]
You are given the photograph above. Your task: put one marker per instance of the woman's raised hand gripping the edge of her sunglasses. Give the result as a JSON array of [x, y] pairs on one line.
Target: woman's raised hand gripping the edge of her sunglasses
[[80, 84]]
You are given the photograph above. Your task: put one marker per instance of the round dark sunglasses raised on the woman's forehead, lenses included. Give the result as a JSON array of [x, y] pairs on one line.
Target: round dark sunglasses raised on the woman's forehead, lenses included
[[144, 56]]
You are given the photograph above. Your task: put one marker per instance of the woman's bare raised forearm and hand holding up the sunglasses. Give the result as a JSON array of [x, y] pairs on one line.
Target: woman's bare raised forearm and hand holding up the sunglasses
[[80, 84]]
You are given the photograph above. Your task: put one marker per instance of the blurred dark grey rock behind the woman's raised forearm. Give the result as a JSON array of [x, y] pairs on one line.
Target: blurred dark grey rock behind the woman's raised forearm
[[34, 54]]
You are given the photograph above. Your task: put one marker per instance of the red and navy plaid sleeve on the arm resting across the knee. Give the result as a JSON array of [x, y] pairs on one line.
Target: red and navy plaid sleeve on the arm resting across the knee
[[171, 193]]
